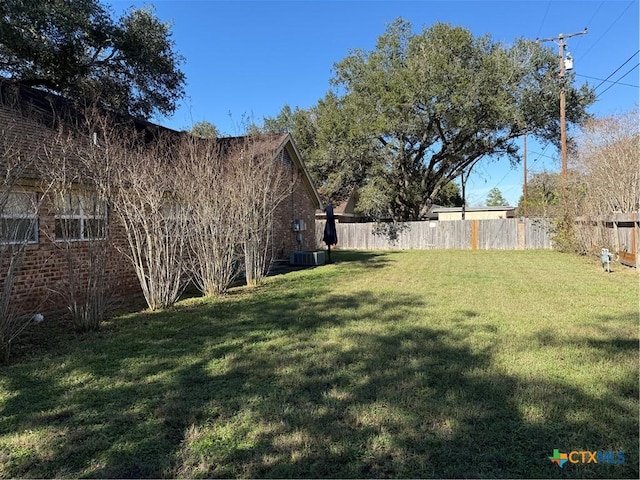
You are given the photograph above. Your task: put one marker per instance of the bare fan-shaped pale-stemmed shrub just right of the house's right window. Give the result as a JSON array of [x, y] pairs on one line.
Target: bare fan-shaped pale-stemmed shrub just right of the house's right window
[[146, 194]]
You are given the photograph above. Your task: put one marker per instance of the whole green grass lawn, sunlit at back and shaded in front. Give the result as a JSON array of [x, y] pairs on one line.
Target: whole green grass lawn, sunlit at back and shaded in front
[[466, 364]]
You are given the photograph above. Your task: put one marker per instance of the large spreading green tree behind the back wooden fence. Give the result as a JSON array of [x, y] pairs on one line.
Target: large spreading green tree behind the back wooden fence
[[406, 119]]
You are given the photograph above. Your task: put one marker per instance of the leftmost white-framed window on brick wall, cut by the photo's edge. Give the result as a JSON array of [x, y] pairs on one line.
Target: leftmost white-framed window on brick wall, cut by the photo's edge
[[18, 217]]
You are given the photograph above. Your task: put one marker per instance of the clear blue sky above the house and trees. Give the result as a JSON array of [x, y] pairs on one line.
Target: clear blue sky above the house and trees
[[244, 60]]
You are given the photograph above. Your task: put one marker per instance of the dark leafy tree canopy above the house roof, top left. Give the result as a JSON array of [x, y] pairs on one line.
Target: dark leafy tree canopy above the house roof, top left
[[76, 49]]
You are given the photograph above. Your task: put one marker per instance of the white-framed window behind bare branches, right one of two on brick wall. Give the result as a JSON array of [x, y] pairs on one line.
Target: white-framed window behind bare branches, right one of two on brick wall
[[80, 215]]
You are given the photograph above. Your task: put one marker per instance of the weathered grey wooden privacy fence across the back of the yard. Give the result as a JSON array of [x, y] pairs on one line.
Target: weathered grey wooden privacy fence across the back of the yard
[[496, 234]]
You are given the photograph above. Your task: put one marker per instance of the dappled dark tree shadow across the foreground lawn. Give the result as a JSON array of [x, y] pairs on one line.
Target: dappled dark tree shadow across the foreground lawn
[[300, 384]]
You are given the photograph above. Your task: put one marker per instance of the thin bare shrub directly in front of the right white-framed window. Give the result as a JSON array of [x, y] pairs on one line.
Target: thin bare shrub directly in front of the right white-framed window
[[73, 167]]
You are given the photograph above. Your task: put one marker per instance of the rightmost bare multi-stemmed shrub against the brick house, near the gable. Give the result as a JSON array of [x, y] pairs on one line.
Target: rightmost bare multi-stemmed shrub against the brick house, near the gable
[[262, 183]]
